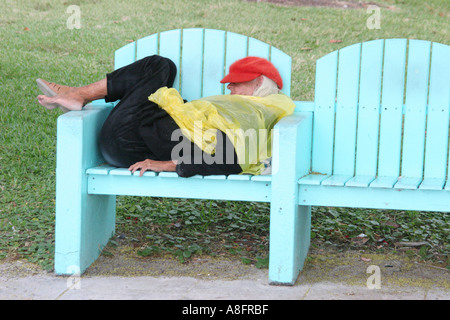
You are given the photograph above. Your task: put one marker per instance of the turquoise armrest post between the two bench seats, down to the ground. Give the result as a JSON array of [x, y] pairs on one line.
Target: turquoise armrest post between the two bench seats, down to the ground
[[290, 224]]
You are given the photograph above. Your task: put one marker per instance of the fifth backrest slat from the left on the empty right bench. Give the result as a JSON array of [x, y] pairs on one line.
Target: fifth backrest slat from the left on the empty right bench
[[415, 108]]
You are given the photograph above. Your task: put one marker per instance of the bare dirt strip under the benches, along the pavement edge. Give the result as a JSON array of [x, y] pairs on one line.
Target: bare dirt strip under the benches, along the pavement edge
[[324, 264]]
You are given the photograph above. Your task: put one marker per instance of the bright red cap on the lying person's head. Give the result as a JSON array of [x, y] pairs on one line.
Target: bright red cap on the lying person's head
[[250, 68]]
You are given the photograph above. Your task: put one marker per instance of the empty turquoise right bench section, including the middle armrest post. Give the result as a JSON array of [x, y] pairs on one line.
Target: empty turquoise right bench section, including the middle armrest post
[[376, 136]]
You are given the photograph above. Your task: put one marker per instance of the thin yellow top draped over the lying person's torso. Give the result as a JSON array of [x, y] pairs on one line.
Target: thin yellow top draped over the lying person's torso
[[246, 120]]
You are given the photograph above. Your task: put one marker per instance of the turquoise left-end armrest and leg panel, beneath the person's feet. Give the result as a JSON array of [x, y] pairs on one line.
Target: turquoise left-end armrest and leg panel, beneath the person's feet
[[84, 223]]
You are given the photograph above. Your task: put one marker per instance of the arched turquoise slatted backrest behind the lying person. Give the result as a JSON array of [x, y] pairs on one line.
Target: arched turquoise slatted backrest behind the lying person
[[202, 57]]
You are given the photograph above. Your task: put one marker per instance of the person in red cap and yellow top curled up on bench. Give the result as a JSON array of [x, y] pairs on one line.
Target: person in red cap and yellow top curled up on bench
[[147, 129]]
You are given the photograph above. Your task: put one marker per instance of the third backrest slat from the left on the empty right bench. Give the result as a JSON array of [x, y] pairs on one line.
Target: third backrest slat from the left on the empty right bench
[[369, 108]]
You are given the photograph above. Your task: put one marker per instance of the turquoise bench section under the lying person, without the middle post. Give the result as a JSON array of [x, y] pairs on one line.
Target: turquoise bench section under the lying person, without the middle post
[[86, 189]]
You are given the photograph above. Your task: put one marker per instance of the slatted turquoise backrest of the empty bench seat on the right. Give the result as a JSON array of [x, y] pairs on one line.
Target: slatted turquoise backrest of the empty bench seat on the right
[[382, 109]]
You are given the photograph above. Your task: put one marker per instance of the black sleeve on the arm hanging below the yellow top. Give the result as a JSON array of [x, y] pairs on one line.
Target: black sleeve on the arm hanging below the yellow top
[[223, 162]]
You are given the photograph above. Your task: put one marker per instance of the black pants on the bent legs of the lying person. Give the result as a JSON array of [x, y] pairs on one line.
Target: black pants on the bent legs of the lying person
[[137, 129]]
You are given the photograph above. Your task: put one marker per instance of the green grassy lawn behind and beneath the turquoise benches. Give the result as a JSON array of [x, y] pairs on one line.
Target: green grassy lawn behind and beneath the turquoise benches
[[36, 42]]
